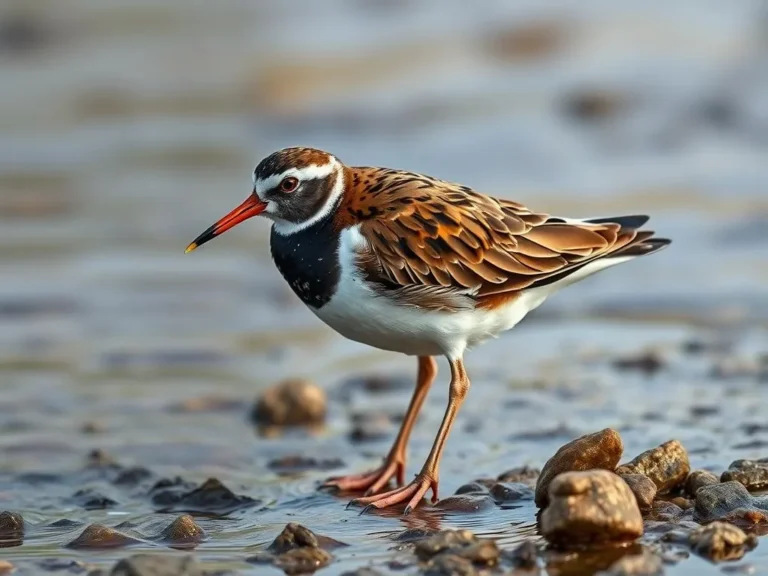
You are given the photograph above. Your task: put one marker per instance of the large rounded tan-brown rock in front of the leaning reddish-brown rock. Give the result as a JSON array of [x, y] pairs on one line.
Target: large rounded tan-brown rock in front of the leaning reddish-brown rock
[[590, 507]]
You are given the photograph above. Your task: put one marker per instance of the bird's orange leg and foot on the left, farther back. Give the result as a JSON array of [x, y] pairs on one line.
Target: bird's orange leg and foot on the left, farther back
[[394, 463]]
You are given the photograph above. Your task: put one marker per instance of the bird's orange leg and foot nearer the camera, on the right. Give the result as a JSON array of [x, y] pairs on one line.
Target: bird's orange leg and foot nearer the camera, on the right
[[428, 477]]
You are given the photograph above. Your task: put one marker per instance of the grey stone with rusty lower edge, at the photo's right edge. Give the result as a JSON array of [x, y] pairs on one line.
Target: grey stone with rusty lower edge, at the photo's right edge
[[729, 501]]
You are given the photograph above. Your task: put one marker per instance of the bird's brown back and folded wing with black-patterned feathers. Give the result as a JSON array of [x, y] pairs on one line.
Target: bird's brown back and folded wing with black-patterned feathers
[[437, 245]]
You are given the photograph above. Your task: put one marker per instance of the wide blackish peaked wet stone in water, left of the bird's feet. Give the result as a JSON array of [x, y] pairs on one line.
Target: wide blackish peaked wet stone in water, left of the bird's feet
[[210, 497]]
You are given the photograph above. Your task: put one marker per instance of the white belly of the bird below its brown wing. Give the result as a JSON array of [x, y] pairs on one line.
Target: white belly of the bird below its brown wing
[[358, 313]]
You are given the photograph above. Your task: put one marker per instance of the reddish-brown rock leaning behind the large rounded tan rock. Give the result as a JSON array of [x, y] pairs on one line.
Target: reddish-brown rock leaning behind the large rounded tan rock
[[598, 450]]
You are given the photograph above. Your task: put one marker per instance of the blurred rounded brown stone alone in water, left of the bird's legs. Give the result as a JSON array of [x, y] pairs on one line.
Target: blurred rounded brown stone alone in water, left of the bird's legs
[[294, 402]]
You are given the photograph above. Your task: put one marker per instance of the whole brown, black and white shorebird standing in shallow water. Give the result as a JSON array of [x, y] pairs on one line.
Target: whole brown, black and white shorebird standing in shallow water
[[412, 264]]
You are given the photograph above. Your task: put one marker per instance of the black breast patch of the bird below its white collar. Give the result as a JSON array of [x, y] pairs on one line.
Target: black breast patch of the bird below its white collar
[[308, 260]]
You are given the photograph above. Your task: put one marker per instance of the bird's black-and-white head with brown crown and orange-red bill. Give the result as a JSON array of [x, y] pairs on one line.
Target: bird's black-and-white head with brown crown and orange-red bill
[[294, 187]]
